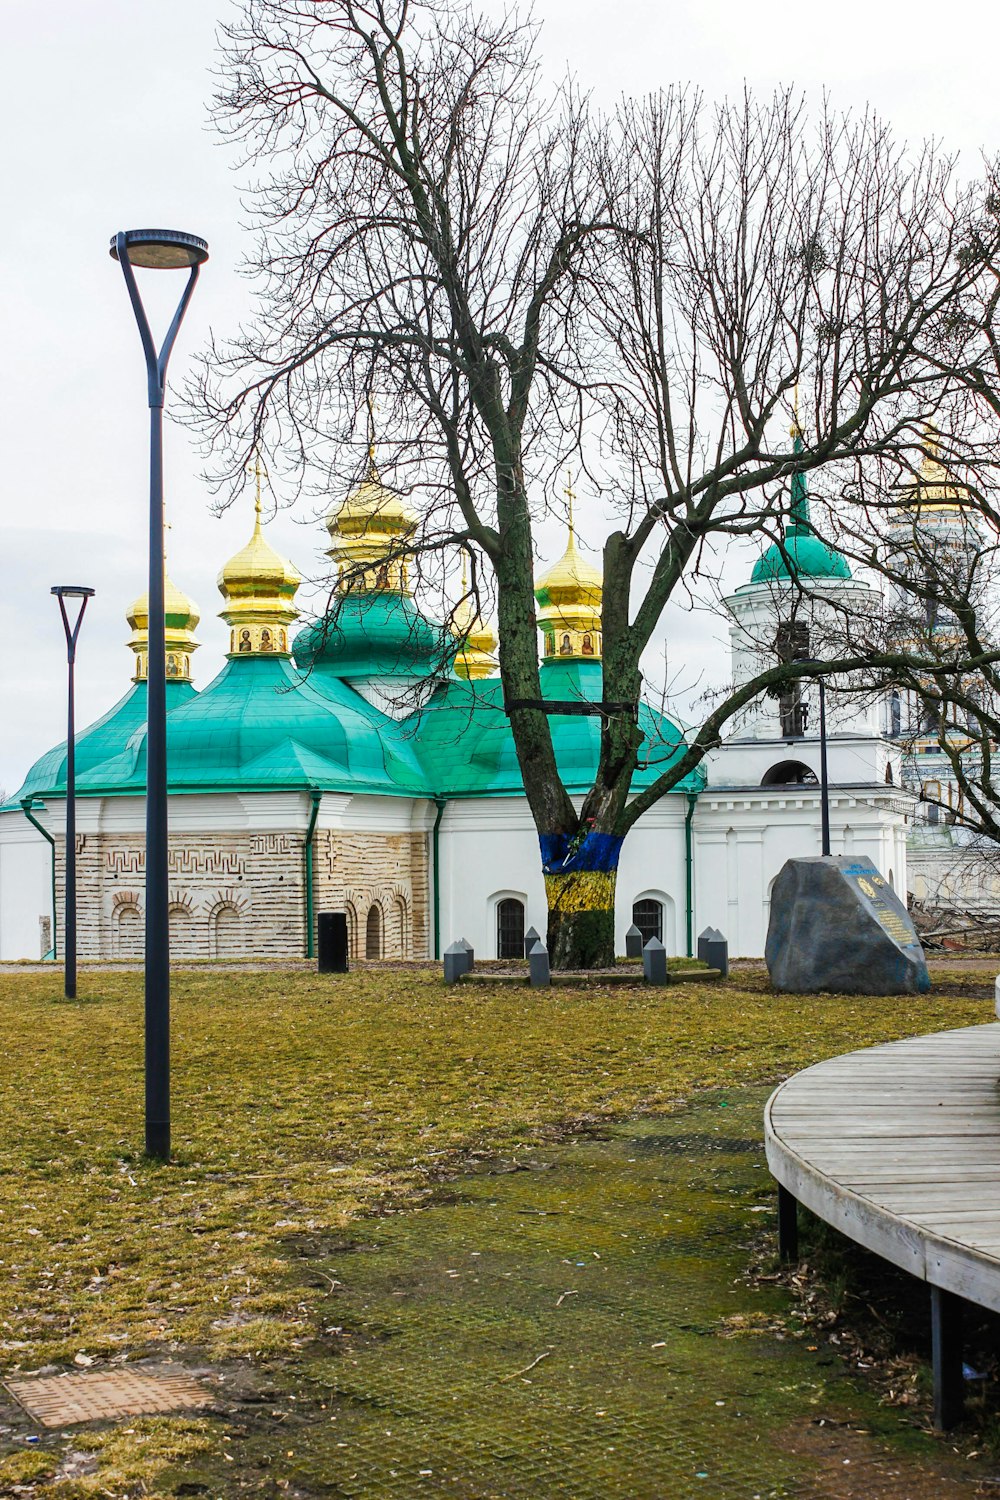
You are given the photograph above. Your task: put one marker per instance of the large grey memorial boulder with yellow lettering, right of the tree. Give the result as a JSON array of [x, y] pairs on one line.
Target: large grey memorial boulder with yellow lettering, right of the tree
[[837, 925]]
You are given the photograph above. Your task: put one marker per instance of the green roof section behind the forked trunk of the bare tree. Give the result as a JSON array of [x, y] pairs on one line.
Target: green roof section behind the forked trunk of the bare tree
[[467, 746]]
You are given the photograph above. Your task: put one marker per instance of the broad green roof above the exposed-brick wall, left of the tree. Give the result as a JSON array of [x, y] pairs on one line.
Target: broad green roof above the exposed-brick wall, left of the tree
[[259, 727]]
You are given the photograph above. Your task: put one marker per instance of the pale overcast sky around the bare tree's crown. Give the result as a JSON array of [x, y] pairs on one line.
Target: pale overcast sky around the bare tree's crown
[[104, 121]]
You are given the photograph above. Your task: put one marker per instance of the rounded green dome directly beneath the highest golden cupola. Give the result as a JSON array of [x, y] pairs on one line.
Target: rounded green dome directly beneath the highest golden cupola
[[376, 635]]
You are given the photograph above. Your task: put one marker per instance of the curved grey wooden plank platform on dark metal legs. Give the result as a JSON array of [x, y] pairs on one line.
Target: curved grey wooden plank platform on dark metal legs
[[899, 1148]]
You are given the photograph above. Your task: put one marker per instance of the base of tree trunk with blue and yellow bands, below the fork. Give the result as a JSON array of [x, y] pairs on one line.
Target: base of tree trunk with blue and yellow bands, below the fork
[[581, 875]]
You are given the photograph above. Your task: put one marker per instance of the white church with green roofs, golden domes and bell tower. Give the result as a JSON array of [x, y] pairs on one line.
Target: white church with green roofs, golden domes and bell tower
[[367, 766]]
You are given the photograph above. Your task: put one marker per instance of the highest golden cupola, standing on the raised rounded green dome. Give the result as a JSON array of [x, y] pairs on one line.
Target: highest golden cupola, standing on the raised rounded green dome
[[368, 538]]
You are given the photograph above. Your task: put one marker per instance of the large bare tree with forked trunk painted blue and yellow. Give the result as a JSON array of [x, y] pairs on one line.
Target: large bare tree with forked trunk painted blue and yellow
[[525, 283]]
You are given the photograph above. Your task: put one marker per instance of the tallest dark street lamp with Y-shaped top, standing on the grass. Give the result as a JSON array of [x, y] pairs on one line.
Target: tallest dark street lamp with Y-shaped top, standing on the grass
[[157, 250]]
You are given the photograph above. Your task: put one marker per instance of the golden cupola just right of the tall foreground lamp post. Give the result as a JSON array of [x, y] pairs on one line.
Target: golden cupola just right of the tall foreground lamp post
[[259, 586]]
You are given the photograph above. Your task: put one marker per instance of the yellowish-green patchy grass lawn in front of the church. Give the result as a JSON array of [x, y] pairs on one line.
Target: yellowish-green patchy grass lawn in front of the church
[[308, 1114]]
